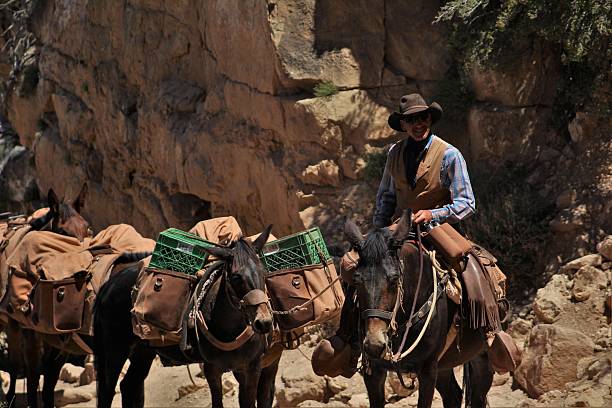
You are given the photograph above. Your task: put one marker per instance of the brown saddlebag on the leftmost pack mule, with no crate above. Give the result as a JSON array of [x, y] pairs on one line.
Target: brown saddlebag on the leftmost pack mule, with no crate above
[[57, 305]]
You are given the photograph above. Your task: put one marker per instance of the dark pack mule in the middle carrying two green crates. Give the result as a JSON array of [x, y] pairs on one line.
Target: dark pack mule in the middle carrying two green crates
[[227, 312]]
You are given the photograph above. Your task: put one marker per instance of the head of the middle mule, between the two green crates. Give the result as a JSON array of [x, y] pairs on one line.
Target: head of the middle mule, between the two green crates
[[245, 280]]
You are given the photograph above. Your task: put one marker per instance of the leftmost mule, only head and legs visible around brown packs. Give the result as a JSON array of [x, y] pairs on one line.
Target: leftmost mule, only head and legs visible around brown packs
[[28, 355]]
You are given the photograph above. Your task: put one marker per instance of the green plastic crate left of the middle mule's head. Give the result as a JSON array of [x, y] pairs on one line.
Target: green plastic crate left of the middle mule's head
[[179, 251]]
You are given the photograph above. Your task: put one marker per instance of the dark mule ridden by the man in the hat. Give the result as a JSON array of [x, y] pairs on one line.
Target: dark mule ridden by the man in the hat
[[377, 278]]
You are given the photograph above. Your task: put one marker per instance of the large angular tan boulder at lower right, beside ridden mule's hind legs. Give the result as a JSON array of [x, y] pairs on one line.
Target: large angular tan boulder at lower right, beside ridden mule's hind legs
[[550, 360]]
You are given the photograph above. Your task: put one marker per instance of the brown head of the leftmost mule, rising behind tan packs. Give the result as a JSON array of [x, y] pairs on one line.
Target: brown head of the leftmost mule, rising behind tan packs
[[66, 218]]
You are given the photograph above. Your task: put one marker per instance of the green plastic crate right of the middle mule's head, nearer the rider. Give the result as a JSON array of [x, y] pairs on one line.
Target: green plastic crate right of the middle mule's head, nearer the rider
[[295, 251]]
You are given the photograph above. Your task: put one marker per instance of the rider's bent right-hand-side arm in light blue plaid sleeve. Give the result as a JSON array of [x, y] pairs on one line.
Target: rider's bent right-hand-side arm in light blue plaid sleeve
[[455, 177]]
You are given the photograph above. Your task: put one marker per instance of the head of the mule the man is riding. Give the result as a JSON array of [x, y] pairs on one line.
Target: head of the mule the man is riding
[[376, 279]]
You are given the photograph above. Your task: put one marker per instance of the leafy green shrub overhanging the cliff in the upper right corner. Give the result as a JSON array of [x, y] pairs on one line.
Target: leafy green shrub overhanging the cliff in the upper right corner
[[482, 31]]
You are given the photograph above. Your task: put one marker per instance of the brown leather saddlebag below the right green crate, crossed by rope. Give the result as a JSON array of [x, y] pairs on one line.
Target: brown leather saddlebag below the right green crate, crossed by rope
[[316, 287]]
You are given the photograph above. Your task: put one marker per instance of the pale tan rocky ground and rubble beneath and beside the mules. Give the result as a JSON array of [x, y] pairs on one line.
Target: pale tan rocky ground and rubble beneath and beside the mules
[[565, 336]]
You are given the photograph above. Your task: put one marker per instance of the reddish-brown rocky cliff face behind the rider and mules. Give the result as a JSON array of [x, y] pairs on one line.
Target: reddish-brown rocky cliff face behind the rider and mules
[[178, 111]]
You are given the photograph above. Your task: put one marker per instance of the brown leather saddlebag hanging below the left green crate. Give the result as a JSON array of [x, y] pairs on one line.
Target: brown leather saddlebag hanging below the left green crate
[[160, 300]]
